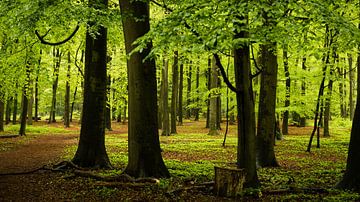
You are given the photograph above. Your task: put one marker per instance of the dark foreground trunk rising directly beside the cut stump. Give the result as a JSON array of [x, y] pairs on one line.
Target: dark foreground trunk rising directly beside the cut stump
[[246, 148]]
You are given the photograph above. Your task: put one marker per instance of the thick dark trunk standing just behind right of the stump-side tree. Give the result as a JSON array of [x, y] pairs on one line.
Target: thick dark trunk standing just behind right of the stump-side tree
[[266, 115]]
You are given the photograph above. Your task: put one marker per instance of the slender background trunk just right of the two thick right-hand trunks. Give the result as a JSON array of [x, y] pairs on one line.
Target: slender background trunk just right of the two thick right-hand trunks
[[285, 124]]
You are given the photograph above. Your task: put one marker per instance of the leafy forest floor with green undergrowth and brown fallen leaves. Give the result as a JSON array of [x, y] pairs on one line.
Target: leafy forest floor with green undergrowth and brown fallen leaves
[[190, 157]]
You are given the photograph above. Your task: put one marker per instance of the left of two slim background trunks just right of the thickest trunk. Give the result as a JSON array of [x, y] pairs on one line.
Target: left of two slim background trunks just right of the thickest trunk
[[165, 107]]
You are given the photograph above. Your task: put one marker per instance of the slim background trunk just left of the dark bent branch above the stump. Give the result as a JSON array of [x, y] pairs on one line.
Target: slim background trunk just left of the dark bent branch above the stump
[[213, 116]]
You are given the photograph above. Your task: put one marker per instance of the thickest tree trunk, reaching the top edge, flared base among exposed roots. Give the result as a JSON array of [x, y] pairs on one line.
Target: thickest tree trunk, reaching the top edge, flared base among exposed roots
[[145, 158]]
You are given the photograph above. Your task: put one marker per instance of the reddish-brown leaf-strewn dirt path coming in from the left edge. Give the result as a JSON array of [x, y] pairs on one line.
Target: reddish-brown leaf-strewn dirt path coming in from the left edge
[[35, 153]]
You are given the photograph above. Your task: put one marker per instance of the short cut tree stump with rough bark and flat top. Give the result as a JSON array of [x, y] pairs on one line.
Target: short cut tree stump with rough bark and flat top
[[229, 181]]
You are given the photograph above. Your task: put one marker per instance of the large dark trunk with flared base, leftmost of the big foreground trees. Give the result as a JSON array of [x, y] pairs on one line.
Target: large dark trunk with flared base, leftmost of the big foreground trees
[[91, 152]]
